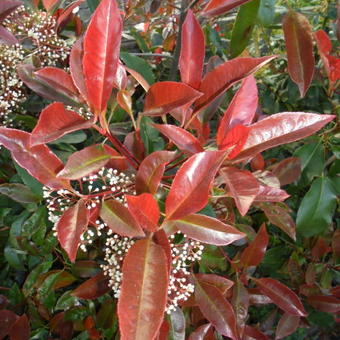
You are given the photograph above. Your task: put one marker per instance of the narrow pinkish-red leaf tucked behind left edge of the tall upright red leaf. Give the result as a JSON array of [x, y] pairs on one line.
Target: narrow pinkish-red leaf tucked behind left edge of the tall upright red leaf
[[76, 67]]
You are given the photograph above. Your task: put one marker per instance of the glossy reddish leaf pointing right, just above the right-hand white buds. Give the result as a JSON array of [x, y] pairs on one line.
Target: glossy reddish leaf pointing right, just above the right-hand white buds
[[206, 229]]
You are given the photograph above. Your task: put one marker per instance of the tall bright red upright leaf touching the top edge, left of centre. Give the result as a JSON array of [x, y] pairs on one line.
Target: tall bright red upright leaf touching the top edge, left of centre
[[101, 53]]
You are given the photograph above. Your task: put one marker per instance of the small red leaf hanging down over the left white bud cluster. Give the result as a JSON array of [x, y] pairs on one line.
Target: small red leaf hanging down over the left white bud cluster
[[71, 226]]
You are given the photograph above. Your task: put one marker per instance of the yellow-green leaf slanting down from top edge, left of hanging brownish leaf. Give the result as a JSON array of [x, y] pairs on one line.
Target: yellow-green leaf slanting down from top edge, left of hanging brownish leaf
[[243, 27]]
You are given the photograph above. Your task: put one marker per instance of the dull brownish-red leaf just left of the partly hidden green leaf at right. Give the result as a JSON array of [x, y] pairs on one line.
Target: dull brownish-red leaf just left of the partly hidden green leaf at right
[[288, 170]]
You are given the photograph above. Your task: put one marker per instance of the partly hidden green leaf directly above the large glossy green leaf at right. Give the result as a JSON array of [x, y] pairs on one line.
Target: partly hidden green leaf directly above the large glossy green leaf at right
[[312, 159]]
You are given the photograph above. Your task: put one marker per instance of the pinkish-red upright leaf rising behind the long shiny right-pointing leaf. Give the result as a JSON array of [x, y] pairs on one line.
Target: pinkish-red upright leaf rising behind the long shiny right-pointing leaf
[[241, 110]]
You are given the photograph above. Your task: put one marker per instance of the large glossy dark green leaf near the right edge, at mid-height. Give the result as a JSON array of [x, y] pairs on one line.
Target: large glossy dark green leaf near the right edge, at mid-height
[[317, 208]]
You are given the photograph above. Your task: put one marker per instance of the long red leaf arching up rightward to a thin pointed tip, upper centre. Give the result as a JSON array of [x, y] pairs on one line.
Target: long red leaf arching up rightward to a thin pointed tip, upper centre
[[223, 76]]
